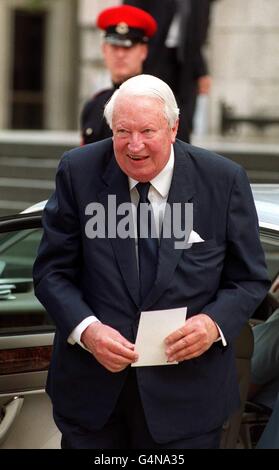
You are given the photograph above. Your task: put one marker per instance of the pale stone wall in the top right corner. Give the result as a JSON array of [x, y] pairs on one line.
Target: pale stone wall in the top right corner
[[243, 54]]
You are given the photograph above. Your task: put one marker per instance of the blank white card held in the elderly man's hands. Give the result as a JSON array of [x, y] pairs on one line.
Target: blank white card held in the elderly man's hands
[[154, 327]]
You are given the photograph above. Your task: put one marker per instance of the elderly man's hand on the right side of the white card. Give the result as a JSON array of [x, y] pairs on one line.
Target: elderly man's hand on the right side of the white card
[[192, 339]]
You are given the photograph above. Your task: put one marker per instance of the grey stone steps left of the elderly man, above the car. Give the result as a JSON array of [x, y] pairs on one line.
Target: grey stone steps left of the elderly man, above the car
[[28, 163]]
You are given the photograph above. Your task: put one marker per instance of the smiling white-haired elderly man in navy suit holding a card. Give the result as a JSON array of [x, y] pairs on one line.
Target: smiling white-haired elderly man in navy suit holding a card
[[95, 278]]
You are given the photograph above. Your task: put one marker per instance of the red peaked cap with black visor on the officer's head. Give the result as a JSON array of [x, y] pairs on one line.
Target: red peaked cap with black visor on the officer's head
[[126, 25]]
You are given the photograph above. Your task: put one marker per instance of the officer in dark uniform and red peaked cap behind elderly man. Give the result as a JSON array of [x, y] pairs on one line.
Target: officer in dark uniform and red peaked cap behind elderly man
[[127, 31]]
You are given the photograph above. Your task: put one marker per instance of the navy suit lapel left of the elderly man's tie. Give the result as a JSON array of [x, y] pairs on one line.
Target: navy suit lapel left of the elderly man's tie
[[116, 183]]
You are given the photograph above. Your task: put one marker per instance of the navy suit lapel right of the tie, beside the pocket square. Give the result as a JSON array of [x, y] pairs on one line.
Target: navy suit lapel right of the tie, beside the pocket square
[[181, 191]]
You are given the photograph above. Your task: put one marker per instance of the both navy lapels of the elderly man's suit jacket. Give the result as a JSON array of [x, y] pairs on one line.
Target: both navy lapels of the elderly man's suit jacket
[[181, 191]]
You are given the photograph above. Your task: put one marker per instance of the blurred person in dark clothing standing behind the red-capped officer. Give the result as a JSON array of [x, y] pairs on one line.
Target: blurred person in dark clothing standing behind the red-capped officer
[[175, 52]]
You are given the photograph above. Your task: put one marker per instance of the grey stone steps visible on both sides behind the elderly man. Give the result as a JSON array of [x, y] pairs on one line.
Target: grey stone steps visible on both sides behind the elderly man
[[28, 162]]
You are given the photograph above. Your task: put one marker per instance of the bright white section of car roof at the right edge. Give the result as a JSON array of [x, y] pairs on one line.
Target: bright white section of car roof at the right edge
[[266, 198]]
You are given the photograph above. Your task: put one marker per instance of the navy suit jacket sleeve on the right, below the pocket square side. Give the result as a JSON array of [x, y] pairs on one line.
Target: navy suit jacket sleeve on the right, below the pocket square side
[[244, 280]]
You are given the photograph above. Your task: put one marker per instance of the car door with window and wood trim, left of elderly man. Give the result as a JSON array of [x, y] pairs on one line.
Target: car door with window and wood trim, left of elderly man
[[26, 336]]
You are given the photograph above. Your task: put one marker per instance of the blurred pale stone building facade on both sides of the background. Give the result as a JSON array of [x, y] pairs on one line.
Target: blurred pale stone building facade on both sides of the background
[[242, 51]]
